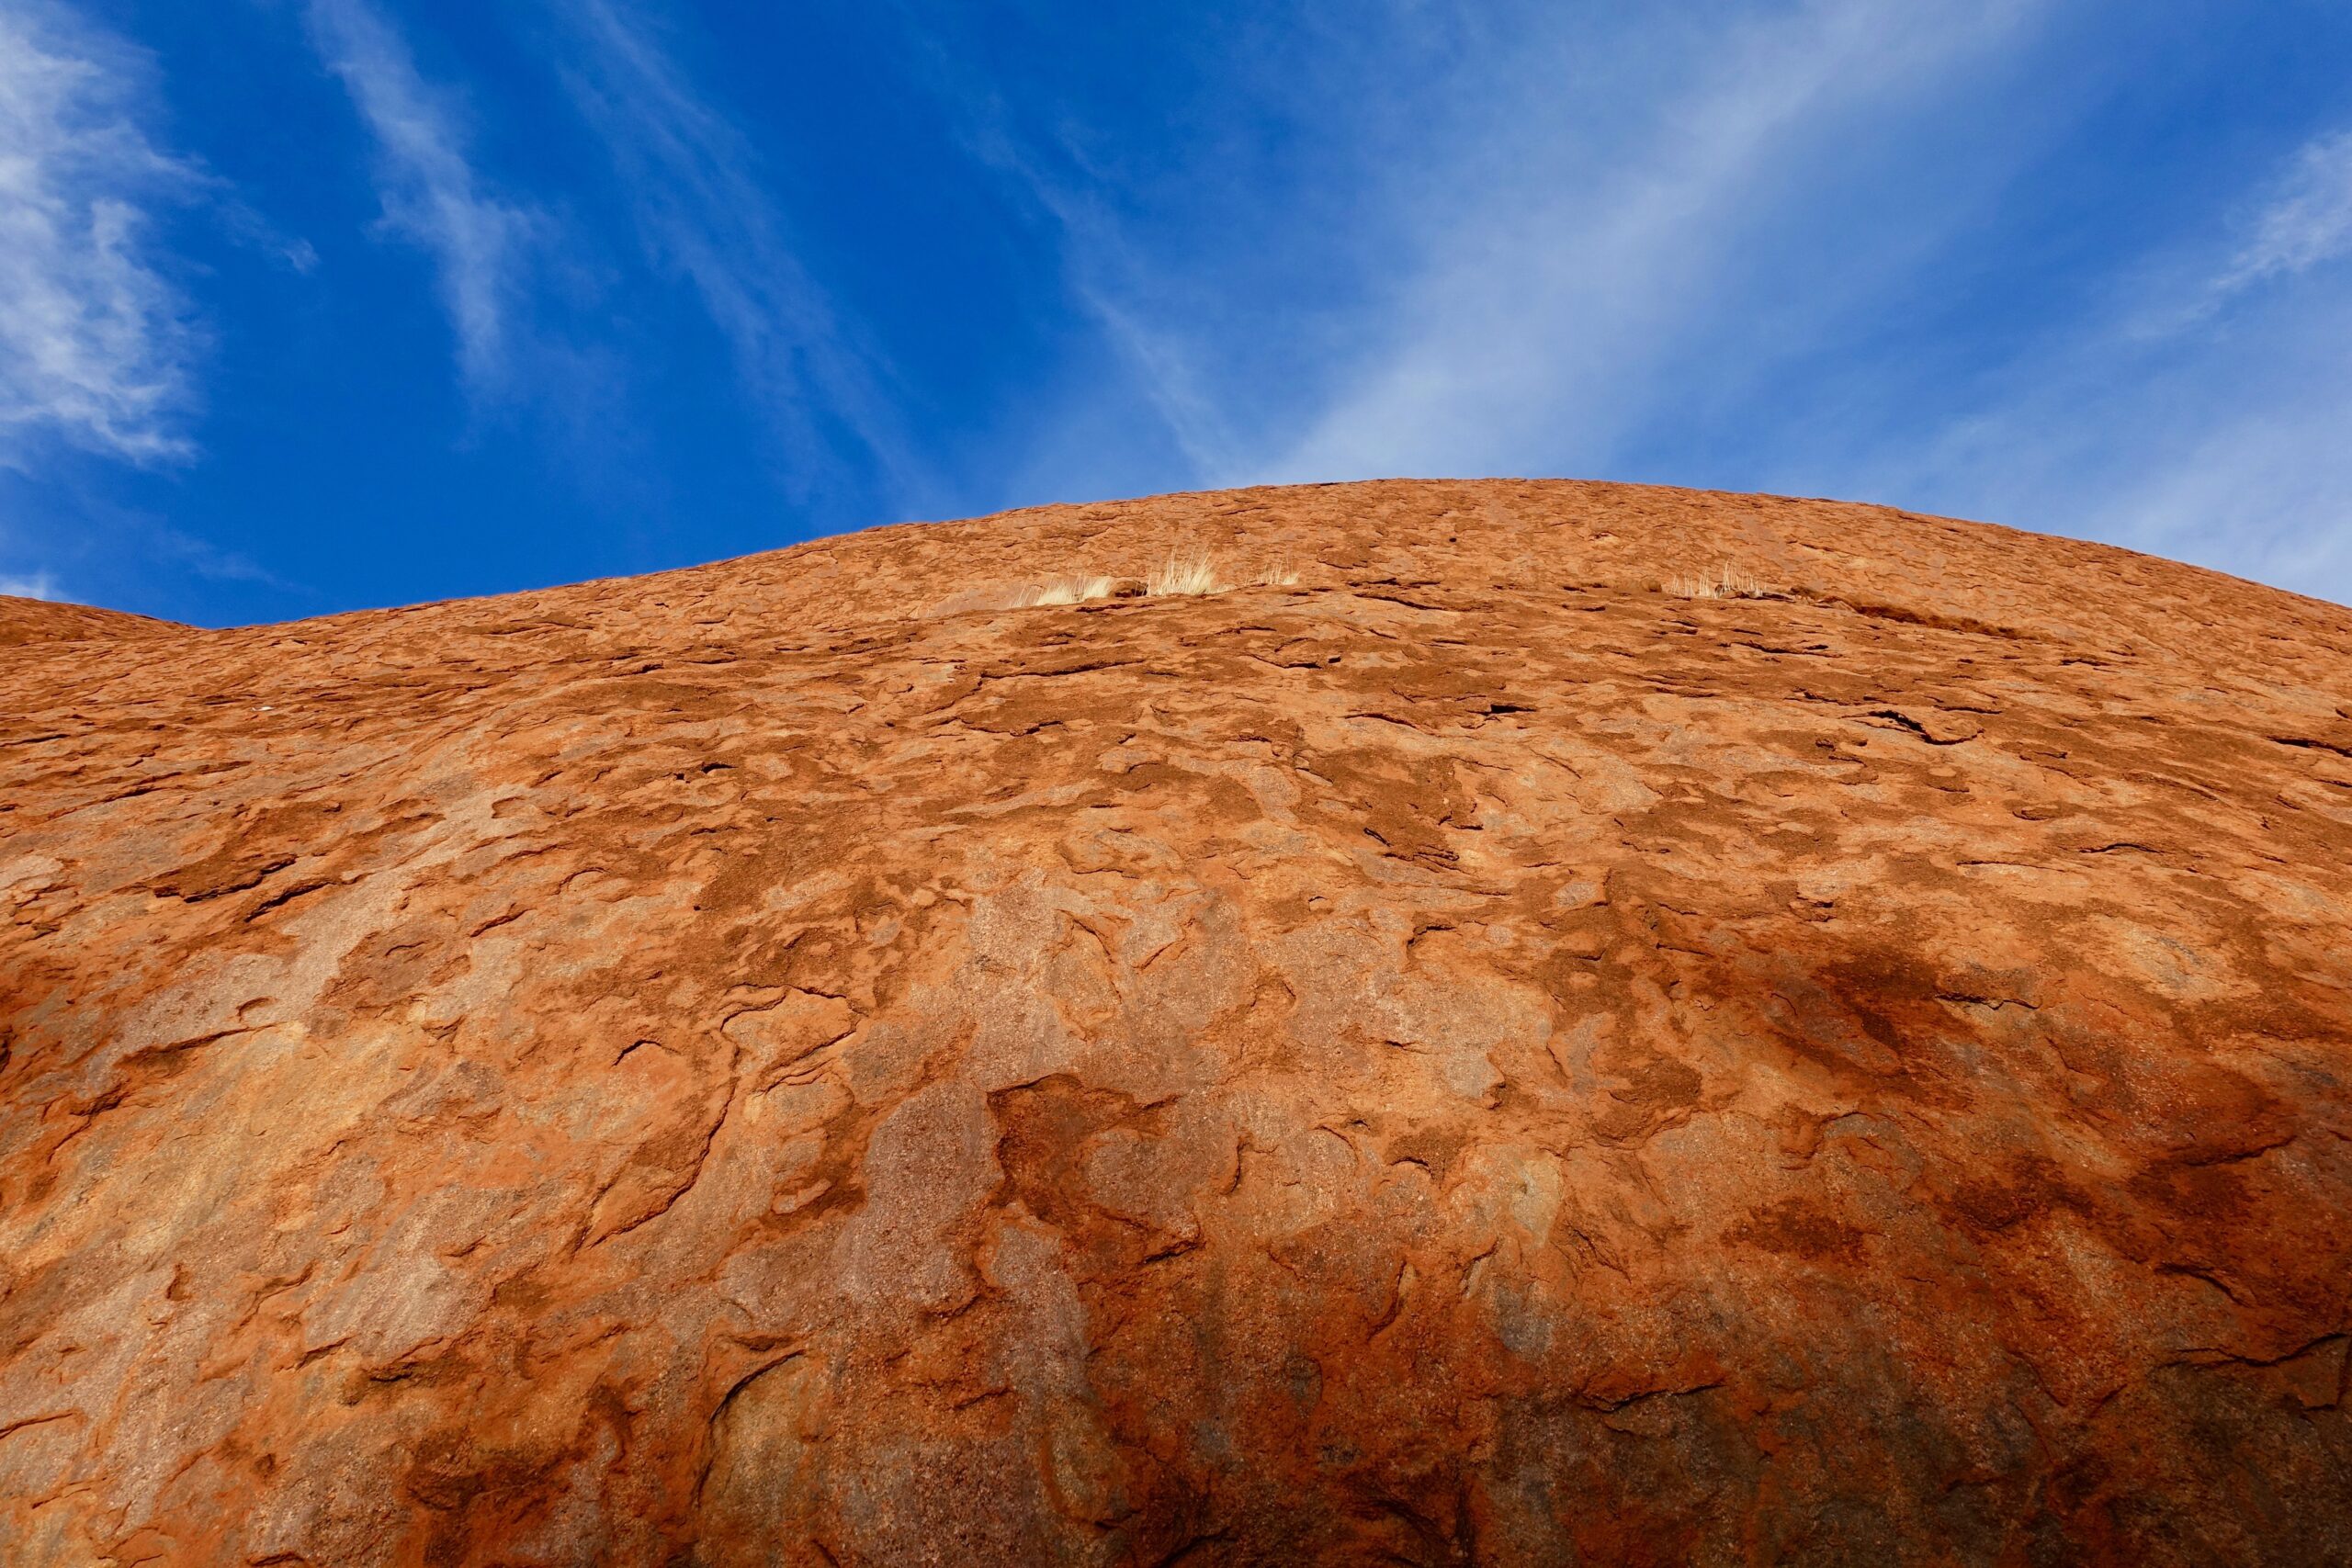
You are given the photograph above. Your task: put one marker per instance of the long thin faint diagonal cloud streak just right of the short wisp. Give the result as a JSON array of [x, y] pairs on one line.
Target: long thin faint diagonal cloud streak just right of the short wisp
[[707, 215]]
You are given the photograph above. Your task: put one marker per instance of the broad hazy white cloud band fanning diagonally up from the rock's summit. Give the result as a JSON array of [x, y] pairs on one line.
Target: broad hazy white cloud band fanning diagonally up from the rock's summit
[[1549, 319]]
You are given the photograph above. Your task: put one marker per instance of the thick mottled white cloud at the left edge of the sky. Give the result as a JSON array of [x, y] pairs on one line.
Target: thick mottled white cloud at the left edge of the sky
[[95, 342]]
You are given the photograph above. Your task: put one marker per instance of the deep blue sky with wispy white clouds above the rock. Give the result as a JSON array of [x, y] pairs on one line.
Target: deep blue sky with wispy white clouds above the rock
[[321, 304]]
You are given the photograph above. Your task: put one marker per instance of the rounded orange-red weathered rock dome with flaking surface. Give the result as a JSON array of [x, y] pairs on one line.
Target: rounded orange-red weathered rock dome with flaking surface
[[1464, 1057]]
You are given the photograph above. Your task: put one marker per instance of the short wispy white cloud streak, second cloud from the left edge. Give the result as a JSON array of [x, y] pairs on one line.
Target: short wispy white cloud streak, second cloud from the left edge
[[432, 194]]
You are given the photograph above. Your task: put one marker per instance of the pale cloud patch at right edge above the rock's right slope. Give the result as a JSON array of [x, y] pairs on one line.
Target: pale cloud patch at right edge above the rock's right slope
[[2205, 417]]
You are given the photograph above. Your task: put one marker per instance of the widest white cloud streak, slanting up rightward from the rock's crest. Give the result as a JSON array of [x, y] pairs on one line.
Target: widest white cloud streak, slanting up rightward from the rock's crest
[[1579, 246]]
